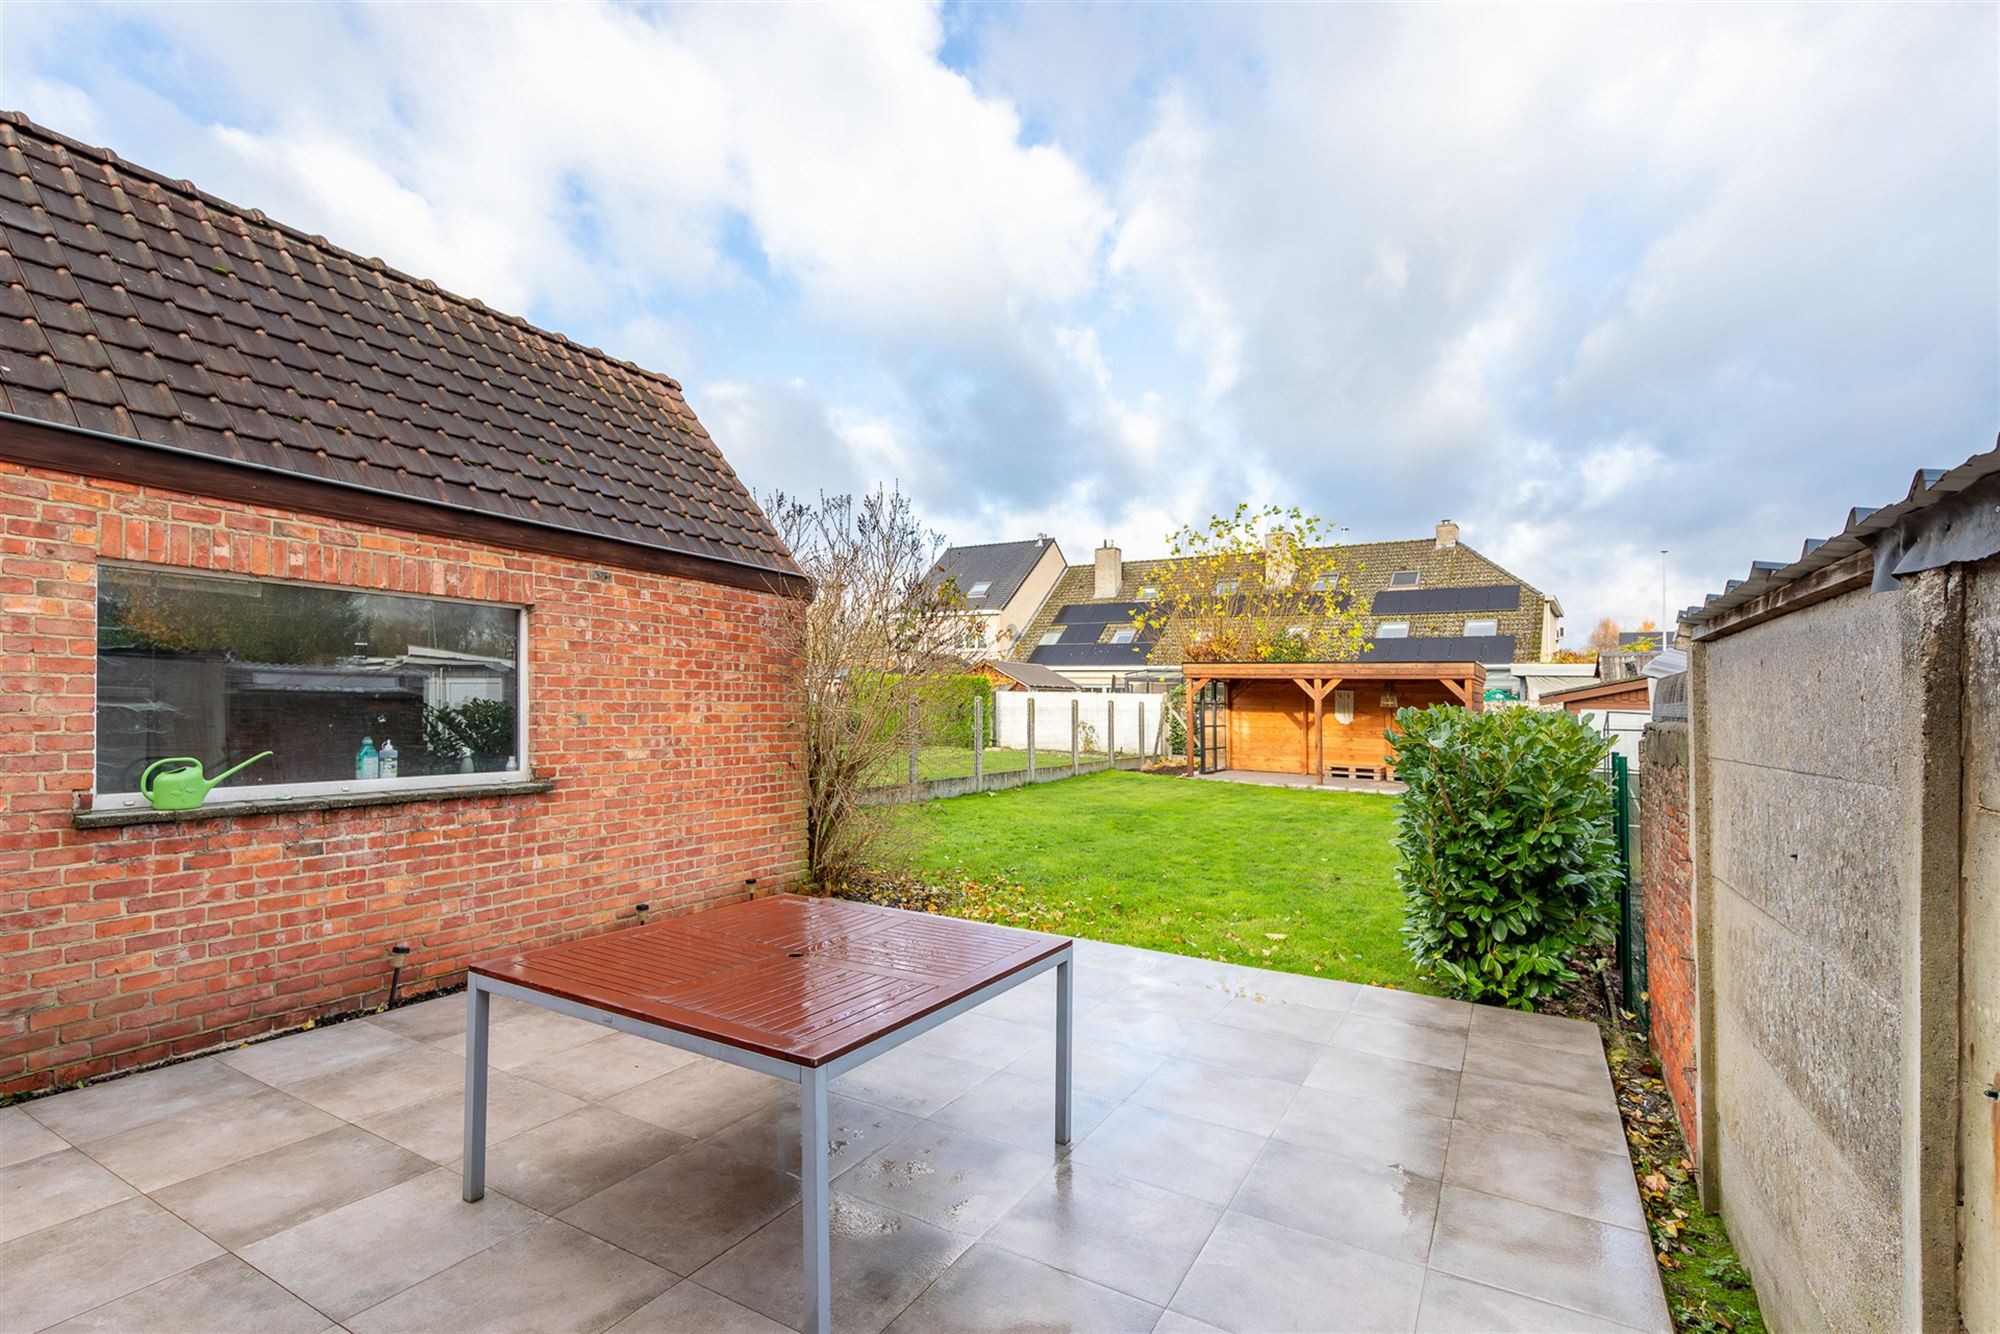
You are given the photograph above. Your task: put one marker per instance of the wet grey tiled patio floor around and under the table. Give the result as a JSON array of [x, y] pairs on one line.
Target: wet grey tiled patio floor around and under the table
[[1253, 1151]]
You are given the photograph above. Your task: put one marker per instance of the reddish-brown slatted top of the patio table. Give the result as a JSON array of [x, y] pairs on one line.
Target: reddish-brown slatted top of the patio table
[[797, 979]]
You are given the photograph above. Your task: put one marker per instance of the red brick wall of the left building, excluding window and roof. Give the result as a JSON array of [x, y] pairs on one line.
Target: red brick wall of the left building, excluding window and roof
[[659, 707]]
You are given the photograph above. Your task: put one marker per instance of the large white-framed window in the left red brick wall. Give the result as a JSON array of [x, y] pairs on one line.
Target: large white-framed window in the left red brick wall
[[347, 691]]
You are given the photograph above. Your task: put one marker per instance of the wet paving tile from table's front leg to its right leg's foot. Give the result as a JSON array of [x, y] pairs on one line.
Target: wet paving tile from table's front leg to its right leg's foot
[[951, 1179]]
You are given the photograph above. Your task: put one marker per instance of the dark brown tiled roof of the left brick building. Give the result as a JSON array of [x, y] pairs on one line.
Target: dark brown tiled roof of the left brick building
[[145, 309]]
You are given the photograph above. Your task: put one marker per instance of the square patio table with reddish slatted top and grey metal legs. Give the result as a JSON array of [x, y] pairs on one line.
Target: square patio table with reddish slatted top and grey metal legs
[[799, 989]]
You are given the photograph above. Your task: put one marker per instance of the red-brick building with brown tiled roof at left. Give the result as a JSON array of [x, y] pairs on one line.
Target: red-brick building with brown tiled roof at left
[[503, 613]]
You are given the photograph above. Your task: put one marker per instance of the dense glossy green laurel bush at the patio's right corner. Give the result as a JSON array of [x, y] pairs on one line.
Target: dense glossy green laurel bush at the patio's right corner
[[1507, 857]]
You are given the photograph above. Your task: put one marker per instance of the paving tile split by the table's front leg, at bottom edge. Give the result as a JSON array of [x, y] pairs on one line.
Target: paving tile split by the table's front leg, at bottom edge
[[881, 1261]]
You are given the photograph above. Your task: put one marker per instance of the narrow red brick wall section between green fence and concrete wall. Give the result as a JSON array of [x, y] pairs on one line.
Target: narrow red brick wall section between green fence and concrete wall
[[1669, 905]]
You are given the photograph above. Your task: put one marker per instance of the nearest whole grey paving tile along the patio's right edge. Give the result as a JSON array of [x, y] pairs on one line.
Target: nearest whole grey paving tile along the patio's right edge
[[1551, 1257]]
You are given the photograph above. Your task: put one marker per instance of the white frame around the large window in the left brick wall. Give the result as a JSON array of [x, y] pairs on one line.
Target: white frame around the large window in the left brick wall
[[431, 785]]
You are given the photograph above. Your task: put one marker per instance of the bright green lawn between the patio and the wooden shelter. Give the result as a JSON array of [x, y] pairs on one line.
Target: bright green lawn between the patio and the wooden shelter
[[1269, 877]]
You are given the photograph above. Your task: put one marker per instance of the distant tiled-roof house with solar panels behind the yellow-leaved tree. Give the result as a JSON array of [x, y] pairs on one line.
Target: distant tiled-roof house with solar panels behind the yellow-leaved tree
[[1431, 601]]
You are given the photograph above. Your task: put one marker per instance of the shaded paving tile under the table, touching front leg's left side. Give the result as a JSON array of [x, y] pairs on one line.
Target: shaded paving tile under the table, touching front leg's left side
[[685, 1211]]
